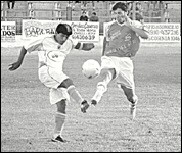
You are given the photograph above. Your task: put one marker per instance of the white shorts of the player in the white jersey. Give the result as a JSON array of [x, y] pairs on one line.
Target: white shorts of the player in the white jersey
[[52, 79]]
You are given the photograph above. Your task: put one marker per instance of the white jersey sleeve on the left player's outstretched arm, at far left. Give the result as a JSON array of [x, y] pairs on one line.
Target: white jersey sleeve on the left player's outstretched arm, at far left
[[33, 45]]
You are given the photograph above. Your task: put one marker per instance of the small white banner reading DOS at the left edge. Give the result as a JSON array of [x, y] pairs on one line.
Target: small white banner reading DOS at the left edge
[[8, 31]]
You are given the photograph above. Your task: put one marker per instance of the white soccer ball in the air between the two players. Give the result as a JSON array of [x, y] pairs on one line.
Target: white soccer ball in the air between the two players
[[91, 69]]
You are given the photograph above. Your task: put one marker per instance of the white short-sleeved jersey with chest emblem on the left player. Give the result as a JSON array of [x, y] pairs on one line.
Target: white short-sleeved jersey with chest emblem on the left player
[[50, 52]]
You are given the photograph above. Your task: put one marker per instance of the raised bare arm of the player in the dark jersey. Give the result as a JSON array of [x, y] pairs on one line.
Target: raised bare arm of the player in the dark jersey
[[143, 34]]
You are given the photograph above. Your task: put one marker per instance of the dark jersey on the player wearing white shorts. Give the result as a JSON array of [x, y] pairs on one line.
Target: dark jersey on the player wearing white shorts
[[122, 41]]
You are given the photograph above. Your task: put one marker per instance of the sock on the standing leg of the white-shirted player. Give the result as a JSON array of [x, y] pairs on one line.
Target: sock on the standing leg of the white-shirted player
[[59, 123]]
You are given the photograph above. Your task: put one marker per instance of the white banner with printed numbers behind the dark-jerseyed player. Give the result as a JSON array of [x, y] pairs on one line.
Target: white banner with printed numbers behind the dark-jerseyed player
[[159, 32]]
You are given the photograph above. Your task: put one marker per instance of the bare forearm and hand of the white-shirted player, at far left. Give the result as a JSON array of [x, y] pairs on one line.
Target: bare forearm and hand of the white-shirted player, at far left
[[16, 64]]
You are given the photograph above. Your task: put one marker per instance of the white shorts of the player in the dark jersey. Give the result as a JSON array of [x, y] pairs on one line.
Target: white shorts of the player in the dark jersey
[[124, 69]]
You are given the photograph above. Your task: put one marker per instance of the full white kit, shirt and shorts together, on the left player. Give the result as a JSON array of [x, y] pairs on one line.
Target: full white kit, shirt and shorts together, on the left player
[[51, 56]]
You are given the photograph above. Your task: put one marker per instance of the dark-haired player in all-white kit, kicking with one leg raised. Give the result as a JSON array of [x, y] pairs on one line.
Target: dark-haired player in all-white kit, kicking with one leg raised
[[52, 51]]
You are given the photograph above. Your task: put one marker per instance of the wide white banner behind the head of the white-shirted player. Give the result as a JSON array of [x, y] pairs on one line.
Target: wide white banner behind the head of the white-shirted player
[[82, 30]]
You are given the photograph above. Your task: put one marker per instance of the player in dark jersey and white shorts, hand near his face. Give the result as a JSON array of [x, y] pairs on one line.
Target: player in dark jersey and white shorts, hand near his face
[[119, 46]]
